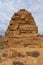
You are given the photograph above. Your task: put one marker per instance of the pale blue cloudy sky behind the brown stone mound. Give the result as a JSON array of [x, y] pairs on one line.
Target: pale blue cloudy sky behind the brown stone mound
[[9, 7]]
